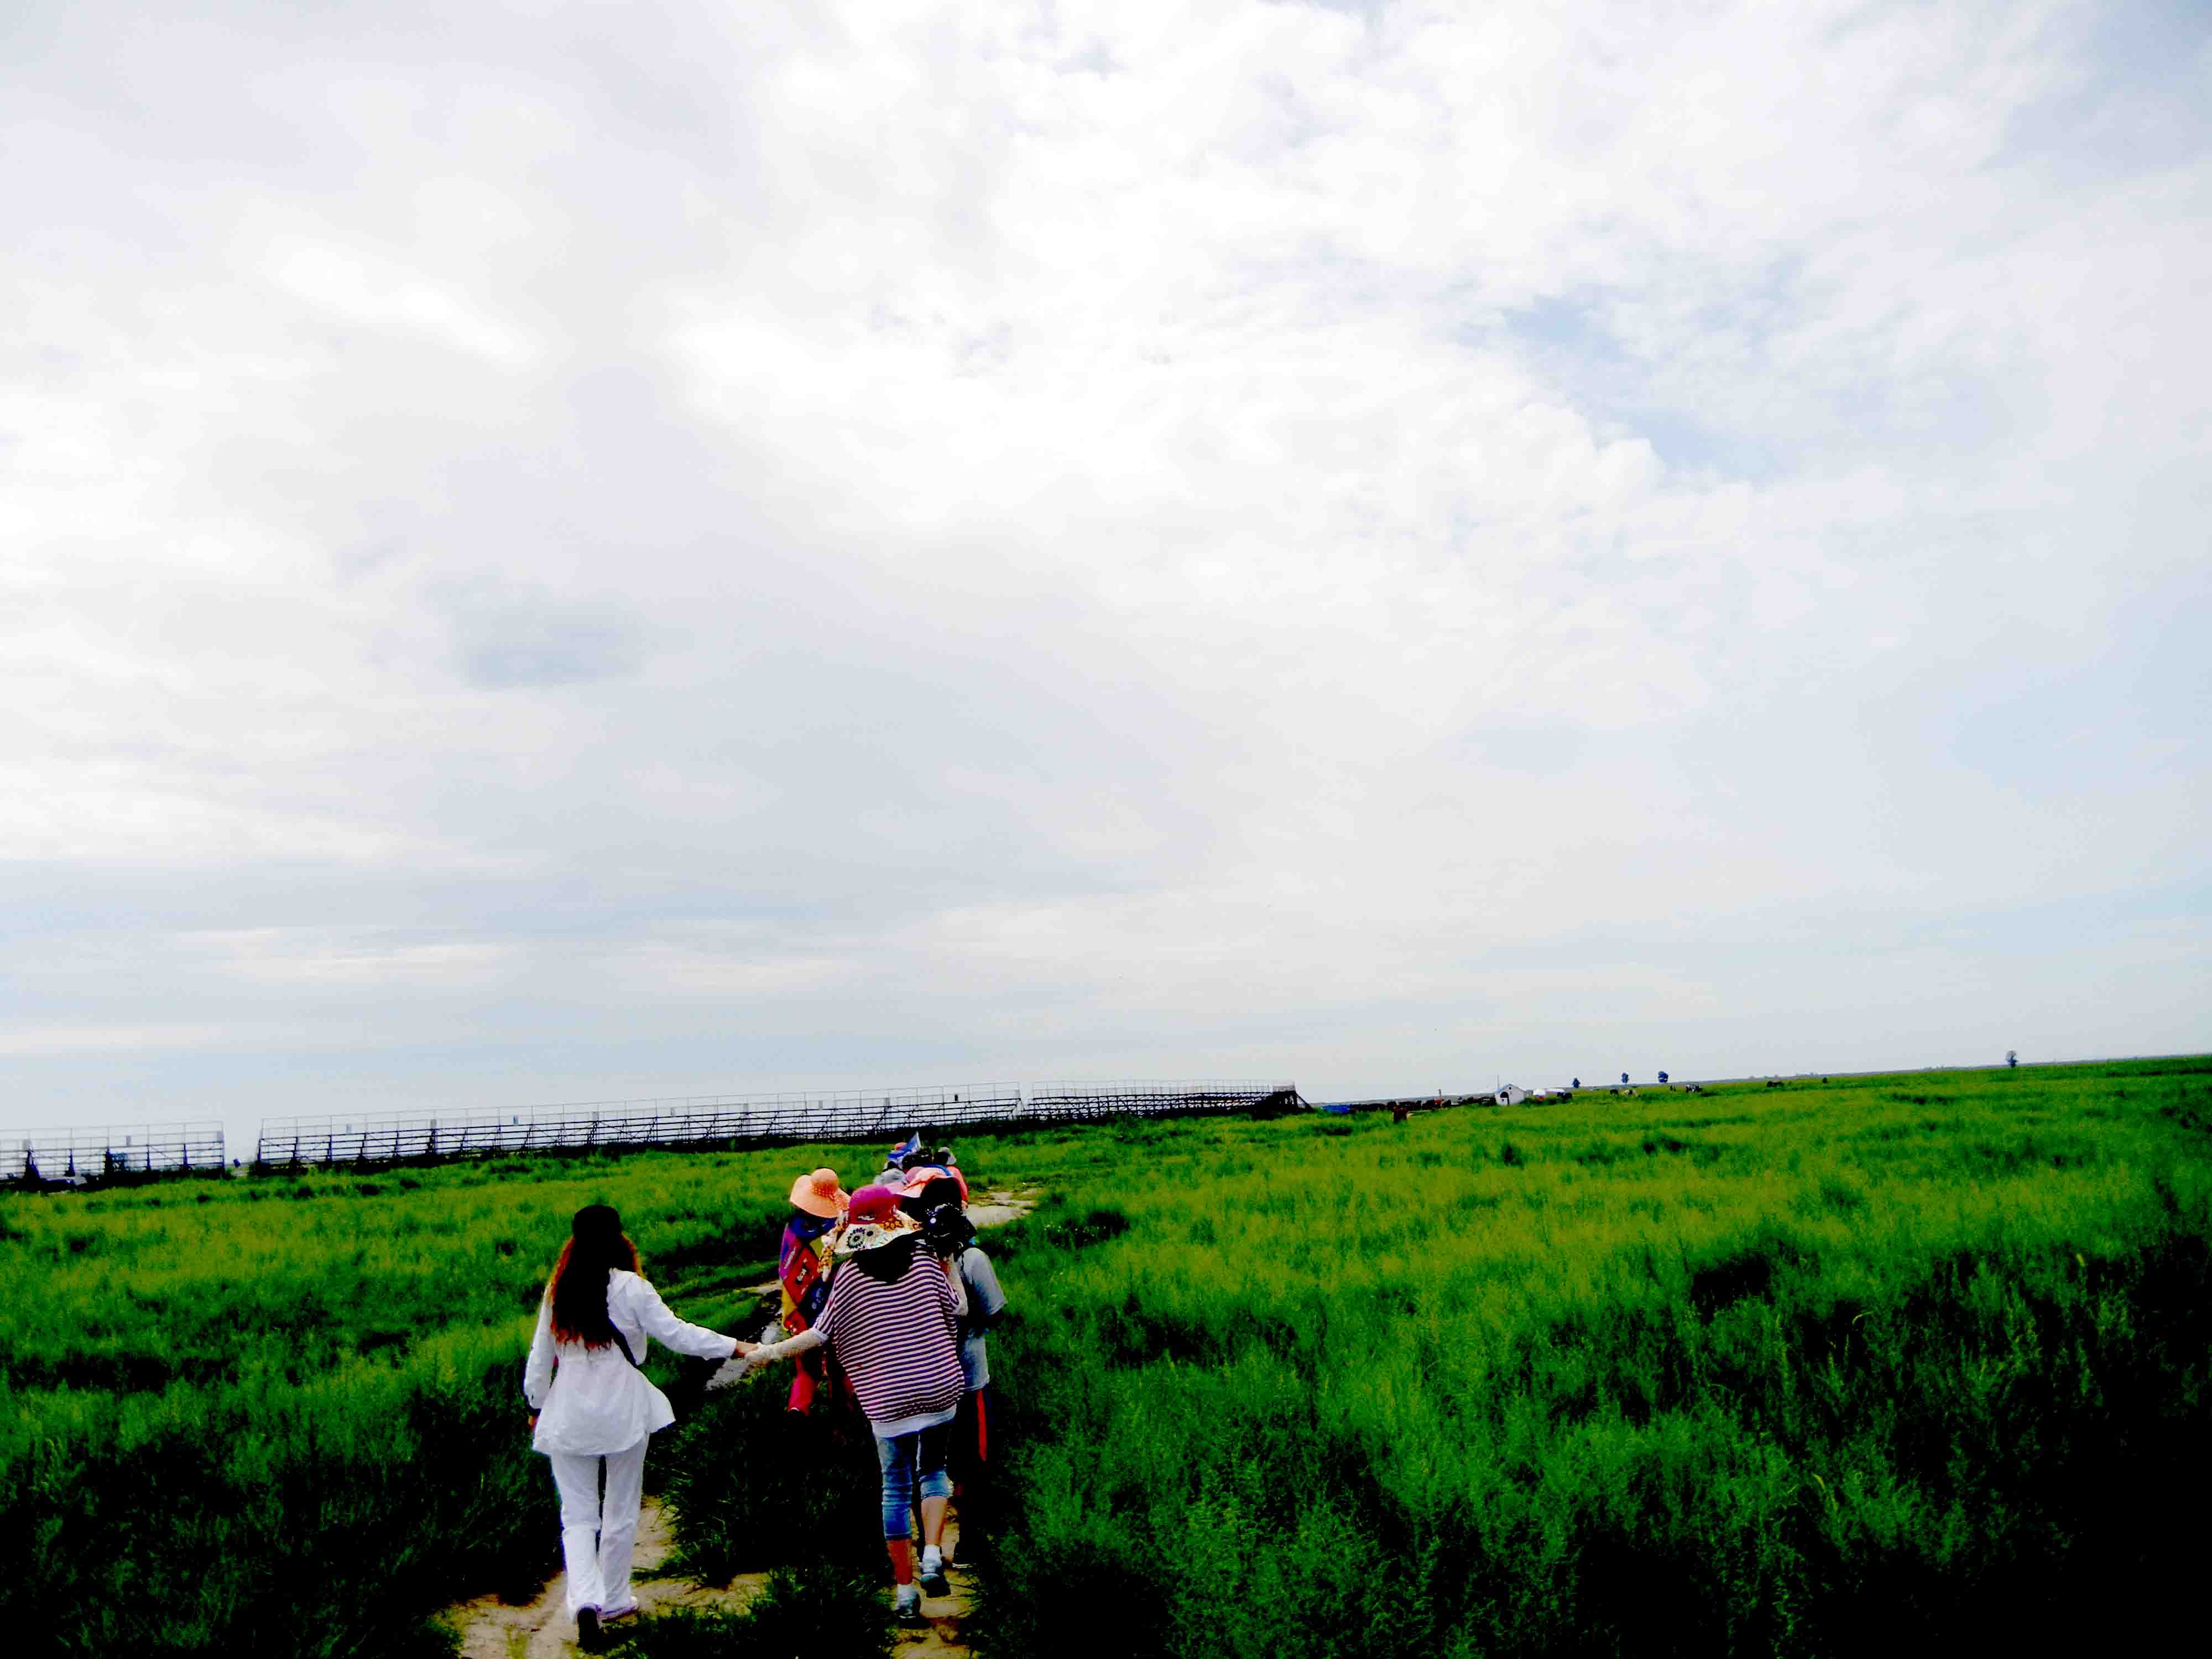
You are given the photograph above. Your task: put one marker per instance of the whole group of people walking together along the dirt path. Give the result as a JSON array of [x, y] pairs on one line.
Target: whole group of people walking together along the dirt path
[[886, 1302]]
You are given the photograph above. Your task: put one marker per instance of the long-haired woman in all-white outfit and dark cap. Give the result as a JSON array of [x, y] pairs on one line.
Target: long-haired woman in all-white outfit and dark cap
[[592, 1408]]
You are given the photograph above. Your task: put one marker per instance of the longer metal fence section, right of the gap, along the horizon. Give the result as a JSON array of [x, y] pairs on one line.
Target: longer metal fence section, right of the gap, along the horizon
[[720, 1120]]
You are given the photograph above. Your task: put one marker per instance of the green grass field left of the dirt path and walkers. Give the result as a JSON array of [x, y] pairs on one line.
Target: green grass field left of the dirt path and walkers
[[284, 1417]]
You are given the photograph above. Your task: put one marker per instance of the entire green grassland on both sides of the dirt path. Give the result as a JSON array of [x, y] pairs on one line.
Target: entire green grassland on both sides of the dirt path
[[1802, 1370]]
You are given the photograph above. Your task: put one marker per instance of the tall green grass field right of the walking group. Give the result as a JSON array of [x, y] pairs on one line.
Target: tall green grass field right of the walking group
[[1797, 1373]]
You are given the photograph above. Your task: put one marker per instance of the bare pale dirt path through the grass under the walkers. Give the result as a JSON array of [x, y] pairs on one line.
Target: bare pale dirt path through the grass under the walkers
[[492, 1629]]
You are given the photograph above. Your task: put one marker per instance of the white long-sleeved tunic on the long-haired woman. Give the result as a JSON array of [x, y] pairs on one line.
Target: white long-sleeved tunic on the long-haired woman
[[596, 1401]]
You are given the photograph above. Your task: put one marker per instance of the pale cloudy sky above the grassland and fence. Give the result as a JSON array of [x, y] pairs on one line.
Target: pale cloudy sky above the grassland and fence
[[567, 552]]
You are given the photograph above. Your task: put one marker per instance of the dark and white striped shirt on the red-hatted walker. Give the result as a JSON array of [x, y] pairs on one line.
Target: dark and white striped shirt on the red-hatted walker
[[899, 1344]]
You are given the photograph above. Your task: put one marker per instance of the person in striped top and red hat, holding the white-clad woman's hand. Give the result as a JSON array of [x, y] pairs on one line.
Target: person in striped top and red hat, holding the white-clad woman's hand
[[893, 1324]]
